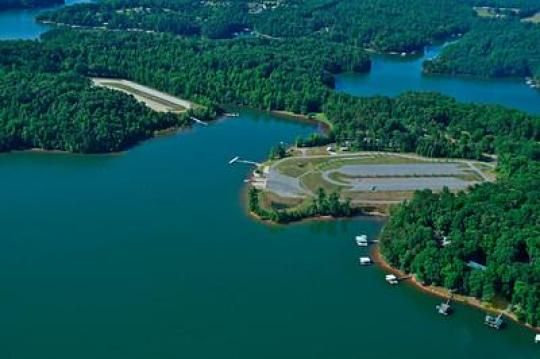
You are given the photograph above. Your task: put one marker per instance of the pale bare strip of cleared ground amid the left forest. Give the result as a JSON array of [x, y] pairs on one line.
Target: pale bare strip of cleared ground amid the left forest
[[154, 99]]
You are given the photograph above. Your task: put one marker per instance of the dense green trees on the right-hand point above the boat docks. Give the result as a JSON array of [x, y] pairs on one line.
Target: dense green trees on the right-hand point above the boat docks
[[435, 236]]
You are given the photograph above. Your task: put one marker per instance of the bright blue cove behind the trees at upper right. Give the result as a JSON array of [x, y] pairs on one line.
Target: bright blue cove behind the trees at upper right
[[393, 75]]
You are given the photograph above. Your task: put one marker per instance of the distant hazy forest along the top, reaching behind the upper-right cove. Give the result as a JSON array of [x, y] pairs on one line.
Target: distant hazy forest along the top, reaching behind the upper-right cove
[[490, 47]]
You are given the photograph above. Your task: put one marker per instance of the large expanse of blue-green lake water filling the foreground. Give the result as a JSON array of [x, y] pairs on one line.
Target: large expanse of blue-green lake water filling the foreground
[[151, 254]]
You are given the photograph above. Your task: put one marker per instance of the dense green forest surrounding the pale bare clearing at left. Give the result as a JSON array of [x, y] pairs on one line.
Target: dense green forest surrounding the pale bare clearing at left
[[41, 81]]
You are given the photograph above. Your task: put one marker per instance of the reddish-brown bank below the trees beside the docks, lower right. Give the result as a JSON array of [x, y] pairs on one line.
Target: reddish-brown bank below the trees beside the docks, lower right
[[443, 293]]
